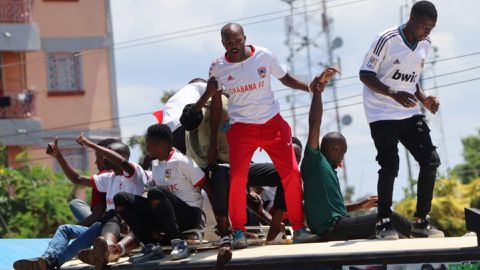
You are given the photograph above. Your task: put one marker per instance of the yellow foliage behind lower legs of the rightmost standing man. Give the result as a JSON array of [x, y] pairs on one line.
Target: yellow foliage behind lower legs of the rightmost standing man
[[450, 198]]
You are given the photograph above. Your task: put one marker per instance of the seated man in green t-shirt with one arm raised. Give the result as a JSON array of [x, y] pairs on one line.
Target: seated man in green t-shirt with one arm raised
[[326, 213]]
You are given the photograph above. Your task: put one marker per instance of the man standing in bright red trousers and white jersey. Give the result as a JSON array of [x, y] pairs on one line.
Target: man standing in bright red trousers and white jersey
[[243, 72]]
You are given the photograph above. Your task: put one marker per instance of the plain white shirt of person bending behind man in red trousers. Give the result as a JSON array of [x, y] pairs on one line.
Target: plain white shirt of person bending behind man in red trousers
[[190, 93]]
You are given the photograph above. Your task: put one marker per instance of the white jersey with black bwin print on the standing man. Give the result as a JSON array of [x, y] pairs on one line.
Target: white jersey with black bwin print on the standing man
[[398, 64]]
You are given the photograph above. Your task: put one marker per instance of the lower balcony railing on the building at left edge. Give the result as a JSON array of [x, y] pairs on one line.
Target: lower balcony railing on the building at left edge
[[17, 105]]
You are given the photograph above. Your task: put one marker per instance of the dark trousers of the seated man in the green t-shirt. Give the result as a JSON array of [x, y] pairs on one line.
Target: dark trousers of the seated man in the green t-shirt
[[363, 227]]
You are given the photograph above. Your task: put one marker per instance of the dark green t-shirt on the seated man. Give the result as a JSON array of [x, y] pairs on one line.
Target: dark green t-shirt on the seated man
[[321, 191]]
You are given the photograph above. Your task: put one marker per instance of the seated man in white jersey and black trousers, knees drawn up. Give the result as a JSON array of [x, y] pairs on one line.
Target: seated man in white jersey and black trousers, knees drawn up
[[173, 204]]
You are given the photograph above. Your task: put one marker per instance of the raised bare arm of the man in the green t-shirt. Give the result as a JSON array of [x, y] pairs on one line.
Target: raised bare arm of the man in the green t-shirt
[[316, 107]]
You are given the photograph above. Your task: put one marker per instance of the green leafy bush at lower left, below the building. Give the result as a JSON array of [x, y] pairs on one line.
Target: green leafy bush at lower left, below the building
[[33, 202]]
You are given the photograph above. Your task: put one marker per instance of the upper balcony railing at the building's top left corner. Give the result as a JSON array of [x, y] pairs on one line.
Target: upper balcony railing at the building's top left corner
[[15, 11]]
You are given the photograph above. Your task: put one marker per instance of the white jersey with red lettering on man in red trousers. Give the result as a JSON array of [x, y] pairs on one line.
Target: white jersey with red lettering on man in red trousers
[[248, 85]]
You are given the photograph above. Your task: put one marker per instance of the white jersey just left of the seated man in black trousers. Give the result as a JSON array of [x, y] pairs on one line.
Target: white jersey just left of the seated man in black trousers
[[112, 183]]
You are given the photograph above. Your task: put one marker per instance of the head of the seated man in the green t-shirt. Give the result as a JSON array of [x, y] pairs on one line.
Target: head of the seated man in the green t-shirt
[[334, 147]]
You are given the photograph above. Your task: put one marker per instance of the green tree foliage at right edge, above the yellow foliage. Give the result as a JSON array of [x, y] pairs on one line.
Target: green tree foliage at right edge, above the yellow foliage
[[471, 154]]
